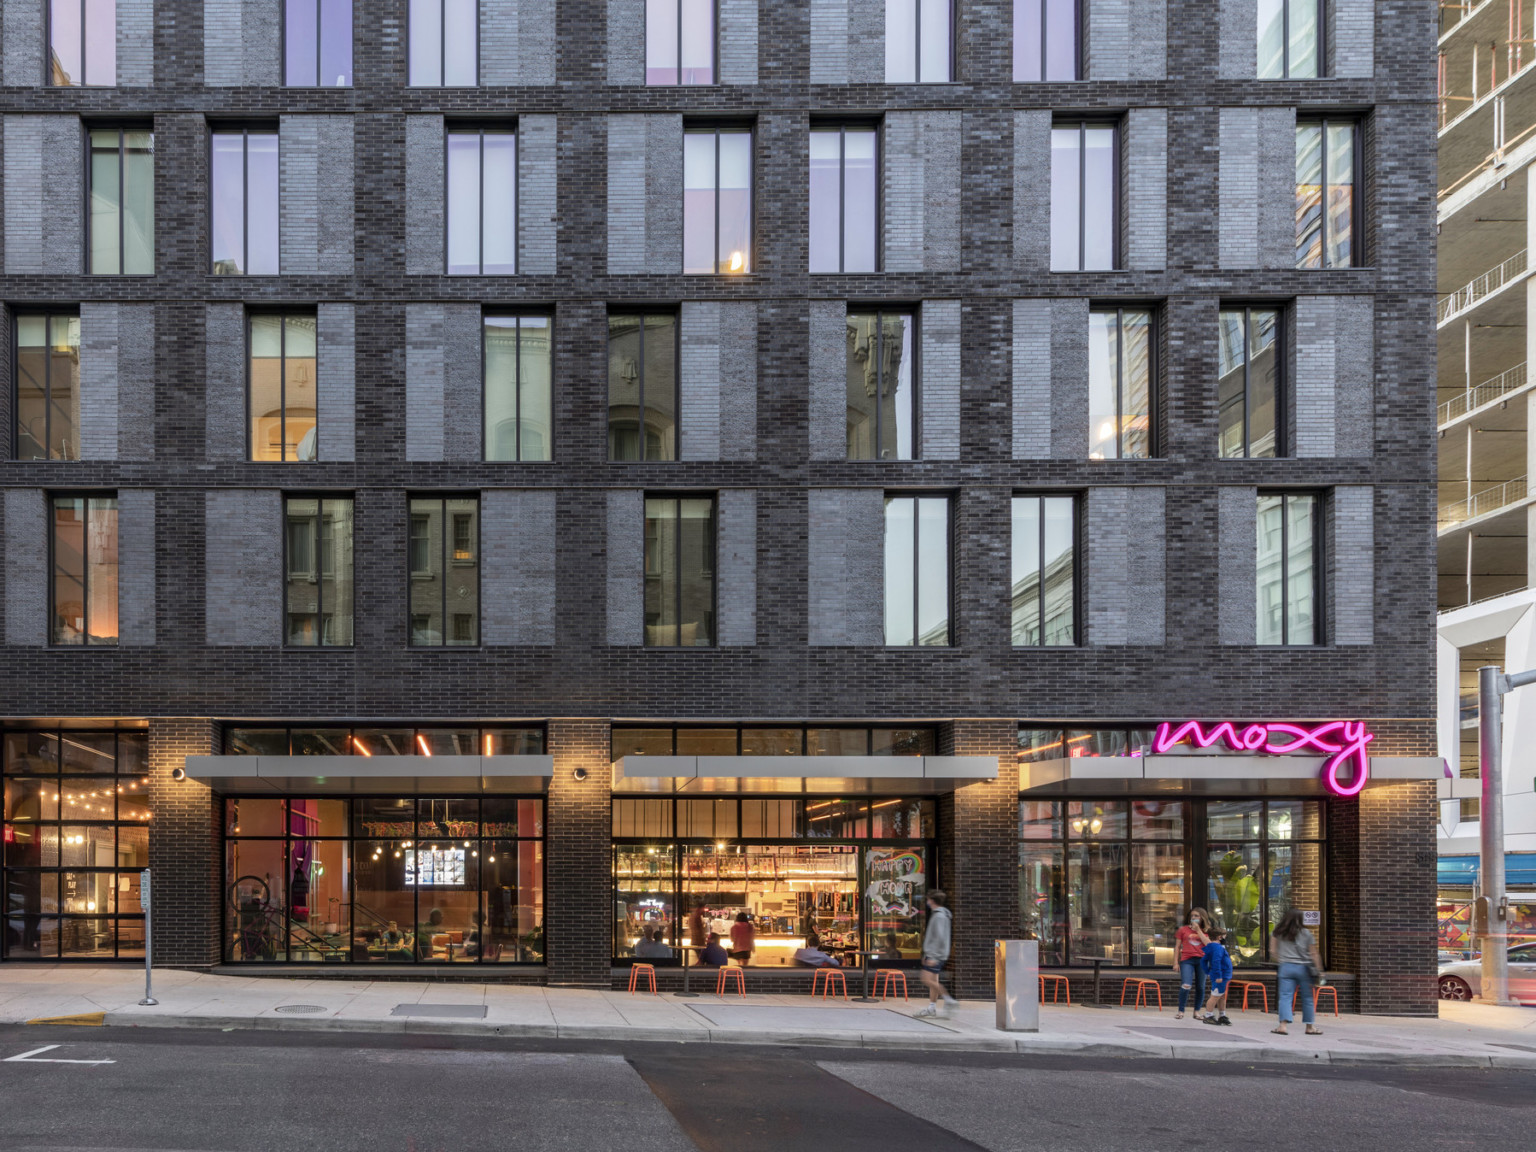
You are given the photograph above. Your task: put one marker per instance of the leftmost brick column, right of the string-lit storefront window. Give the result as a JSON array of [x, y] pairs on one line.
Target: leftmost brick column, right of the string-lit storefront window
[[188, 876]]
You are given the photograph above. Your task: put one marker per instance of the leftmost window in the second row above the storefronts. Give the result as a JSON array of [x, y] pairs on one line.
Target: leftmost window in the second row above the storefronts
[[47, 386]]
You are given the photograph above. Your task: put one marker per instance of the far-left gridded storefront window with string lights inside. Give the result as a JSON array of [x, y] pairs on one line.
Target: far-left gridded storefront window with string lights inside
[[76, 836]]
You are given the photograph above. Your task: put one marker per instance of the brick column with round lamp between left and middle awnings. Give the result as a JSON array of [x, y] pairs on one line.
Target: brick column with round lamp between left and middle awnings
[[578, 856]]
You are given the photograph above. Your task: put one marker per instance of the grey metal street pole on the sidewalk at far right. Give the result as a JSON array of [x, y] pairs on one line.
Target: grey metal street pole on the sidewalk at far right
[[1492, 687]]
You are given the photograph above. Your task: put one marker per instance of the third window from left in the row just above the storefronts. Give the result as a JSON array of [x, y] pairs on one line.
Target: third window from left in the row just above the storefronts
[[445, 575]]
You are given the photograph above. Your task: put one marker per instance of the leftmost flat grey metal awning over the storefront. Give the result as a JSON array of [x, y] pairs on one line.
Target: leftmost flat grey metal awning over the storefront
[[372, 775]]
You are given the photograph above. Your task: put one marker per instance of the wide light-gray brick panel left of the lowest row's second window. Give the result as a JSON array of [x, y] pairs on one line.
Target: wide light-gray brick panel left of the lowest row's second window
[[243, 541]]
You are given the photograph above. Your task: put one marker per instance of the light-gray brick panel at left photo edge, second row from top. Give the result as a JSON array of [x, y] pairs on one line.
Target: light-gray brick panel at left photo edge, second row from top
[[44, 222]]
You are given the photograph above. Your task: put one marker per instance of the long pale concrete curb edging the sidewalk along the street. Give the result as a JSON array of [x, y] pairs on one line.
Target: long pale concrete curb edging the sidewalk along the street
[[889, 1042]]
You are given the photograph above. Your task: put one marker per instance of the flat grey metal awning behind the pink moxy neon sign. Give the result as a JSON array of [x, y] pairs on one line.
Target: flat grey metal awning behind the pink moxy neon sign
[[1208, 775]]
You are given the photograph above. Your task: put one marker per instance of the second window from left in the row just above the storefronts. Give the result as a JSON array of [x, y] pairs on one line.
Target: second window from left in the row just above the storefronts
[[319, 588]]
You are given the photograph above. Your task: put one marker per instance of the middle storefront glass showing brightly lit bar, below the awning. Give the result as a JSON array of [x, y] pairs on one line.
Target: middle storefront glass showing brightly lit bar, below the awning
[[838, 893]]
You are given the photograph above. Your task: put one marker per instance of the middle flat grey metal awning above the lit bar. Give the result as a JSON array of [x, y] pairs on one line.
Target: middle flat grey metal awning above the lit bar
[[918, 775]]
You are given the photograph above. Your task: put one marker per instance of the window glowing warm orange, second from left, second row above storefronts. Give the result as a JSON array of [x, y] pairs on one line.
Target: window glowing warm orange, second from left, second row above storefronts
[[283, 389]]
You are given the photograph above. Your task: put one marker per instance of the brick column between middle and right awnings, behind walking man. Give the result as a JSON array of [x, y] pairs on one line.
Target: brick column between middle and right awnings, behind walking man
[[979, 853]]
